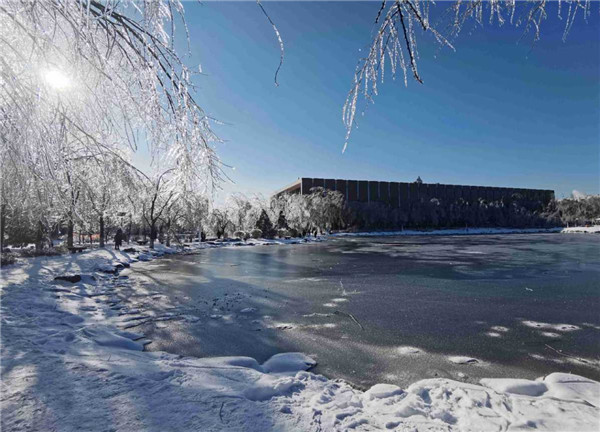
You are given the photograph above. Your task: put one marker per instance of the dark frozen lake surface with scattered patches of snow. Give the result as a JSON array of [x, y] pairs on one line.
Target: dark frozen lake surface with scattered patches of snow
[[388, 309]]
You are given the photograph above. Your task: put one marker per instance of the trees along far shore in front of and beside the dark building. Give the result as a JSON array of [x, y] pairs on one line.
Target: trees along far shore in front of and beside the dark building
[[323, 210]]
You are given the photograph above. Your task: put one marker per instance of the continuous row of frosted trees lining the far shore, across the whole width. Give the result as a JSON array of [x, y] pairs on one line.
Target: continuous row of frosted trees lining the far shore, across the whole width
[[158, 213]]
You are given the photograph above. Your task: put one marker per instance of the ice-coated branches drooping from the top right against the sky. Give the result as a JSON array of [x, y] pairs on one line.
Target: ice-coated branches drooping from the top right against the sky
[[395, 40]]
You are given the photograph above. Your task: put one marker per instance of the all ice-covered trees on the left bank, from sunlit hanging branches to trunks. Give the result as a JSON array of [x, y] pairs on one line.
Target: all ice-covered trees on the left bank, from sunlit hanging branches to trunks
[[99, 123]]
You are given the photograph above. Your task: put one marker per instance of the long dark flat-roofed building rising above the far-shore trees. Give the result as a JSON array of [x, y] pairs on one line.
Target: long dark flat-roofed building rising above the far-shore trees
[[402, 195]]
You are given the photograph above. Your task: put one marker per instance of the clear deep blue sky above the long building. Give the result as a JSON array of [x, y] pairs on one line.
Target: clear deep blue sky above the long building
[[493, 112]]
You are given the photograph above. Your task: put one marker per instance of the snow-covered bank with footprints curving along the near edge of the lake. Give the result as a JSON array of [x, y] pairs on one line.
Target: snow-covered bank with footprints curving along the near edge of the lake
[[70, 363]]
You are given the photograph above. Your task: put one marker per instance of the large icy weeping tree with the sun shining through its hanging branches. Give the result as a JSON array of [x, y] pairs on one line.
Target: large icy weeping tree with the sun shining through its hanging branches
[[88, 81]]
